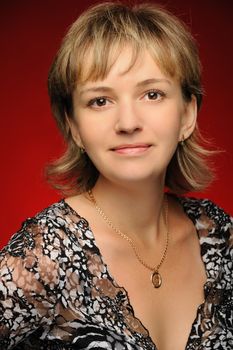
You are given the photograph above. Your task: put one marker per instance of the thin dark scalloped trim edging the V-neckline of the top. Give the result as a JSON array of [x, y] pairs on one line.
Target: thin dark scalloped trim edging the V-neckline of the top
[[209, 280]]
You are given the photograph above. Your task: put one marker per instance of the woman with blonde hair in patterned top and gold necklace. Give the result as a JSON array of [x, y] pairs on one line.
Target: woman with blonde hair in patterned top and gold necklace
[[120, 263]]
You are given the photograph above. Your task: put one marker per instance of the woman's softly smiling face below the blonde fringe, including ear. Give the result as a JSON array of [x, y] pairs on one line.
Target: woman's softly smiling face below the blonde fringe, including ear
[[130, 122]]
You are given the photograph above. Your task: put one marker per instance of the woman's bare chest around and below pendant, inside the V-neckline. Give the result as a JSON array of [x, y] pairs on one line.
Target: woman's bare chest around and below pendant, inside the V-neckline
[[169, 311]]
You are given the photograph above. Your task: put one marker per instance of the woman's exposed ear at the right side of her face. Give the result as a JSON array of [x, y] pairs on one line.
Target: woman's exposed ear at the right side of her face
[[189, 119]]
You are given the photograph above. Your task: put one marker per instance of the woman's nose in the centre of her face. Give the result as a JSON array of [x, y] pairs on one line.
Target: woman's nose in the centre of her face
[[128, 120]]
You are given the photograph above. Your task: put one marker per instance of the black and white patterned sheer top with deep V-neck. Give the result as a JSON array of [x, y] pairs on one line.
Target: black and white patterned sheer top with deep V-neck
[[57, 293]]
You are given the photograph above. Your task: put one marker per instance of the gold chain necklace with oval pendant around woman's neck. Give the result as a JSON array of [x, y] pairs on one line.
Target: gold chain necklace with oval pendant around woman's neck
[[156, 278]]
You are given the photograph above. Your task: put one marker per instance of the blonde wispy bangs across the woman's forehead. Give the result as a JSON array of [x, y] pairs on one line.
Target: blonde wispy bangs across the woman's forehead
[[98, 59]]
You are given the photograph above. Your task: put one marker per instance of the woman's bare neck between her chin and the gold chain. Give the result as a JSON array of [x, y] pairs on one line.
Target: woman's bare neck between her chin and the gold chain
[[135, 210]]
